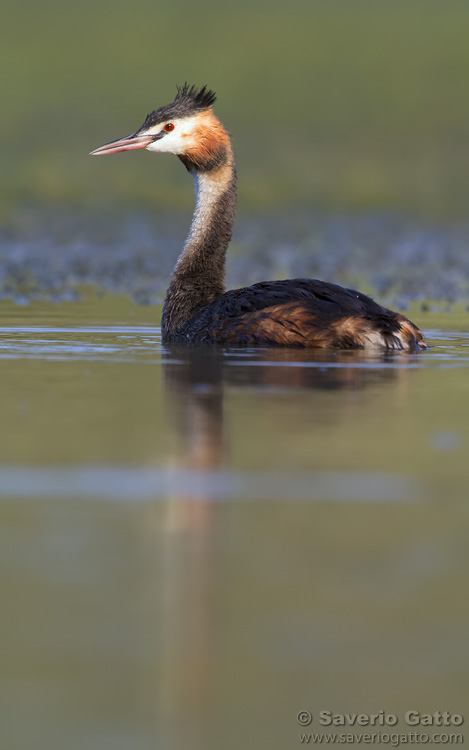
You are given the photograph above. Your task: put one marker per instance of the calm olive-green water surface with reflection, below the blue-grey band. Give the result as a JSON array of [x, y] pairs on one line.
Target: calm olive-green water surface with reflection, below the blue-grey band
[[197, 544]]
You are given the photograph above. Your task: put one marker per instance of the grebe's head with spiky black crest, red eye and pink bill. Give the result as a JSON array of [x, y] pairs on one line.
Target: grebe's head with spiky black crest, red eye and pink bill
[[186, 127]]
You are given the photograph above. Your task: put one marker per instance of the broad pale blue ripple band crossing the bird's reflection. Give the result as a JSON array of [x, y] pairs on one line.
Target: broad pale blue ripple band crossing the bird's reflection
[[136, 485]]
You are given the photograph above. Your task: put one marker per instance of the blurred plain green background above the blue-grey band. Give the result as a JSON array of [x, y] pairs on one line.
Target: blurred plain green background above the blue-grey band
[[332, 104]]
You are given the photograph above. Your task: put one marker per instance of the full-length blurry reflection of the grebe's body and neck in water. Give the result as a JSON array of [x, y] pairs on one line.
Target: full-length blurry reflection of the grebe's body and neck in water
[[197, 381]]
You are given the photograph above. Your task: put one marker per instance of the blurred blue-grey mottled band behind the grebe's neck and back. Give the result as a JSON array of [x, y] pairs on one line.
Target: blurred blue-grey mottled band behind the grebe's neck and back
[[51, 256]]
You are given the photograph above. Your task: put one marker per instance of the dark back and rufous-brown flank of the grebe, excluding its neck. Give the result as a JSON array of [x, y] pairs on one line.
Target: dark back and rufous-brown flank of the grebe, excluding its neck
[[302, 312]]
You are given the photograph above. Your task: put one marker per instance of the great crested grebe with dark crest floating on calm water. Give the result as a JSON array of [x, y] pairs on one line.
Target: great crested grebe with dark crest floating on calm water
[[197, 308]]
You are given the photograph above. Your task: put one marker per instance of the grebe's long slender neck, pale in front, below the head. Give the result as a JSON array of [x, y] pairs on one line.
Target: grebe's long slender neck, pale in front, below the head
[[199, 275]]
